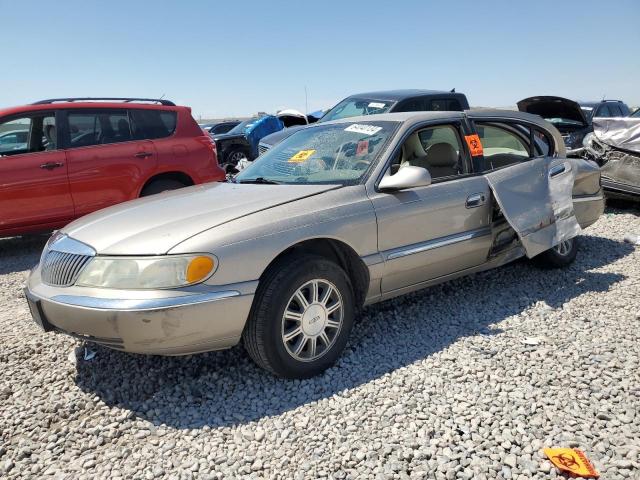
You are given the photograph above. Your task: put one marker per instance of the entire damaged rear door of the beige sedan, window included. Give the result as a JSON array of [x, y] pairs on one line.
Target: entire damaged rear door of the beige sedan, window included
[[532, 188]]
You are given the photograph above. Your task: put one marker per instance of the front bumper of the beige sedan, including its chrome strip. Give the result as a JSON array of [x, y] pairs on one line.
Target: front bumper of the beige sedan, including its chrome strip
[[176, 323]]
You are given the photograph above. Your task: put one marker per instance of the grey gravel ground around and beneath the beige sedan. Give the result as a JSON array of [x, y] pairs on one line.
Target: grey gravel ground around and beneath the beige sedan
[[466, 380]]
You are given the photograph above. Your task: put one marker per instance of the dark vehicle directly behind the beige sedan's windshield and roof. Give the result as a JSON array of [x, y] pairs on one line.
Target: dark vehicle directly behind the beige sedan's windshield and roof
[[381, 102]]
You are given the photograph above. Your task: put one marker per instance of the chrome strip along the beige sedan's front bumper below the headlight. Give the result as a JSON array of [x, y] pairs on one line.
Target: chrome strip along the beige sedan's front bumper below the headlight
[[140, 305]]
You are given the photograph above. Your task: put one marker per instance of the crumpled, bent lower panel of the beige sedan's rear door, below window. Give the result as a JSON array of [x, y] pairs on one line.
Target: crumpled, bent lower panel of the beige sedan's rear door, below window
[[536, 199]]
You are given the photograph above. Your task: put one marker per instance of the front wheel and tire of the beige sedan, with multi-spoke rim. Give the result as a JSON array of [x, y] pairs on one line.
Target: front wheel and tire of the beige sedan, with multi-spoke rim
[[265, 334]]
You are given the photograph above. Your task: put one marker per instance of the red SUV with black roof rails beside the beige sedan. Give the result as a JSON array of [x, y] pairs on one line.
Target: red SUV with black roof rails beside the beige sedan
[[63, 158]]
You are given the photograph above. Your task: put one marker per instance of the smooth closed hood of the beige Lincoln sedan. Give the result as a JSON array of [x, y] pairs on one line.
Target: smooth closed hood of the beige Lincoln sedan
[[153, 225]]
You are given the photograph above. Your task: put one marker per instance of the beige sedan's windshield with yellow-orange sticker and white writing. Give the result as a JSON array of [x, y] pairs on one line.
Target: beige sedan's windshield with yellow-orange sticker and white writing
[[335, 154]]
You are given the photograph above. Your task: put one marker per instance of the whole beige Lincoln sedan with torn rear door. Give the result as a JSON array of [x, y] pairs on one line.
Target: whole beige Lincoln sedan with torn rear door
[[338, 216]]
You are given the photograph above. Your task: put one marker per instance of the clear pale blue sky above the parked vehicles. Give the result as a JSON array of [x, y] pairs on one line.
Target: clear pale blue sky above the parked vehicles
[[236, 58]]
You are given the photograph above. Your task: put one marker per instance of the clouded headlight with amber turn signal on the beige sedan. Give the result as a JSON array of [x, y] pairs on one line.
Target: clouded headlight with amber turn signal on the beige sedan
[[147, 272]]
